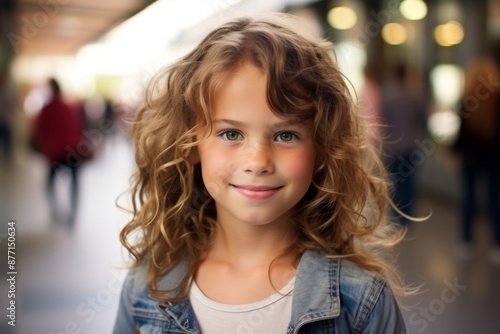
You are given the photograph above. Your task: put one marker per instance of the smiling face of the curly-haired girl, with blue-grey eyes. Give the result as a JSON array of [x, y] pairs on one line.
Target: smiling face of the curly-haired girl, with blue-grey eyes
[[255, 165]]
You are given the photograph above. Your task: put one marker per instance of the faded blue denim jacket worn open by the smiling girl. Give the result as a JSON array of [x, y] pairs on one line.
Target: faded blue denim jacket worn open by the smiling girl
[[330, 296]]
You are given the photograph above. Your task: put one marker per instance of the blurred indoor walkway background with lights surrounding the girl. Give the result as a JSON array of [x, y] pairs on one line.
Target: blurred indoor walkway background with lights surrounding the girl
[[408, 63]]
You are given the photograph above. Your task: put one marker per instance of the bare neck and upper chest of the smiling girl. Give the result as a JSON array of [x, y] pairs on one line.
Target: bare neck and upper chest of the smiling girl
[[249, 256]]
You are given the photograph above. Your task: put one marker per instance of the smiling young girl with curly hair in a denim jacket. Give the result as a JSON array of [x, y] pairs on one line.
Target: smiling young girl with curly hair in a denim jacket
[[258, 205]]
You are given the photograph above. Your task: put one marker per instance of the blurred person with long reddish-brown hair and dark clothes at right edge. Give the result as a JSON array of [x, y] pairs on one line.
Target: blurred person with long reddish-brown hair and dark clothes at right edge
[[478, 144]]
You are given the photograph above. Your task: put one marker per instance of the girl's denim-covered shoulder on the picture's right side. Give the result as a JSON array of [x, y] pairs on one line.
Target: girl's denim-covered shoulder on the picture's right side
[[352, 296]]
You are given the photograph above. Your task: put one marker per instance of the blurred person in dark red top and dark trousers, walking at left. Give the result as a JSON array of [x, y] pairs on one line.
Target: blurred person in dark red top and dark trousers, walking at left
[[57, 132]]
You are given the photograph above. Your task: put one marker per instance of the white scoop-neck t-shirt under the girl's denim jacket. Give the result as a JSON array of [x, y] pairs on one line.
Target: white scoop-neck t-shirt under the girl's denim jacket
[[268, 316]]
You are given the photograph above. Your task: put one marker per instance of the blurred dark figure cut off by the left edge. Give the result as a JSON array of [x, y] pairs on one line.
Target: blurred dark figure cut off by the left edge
[[7, 105]]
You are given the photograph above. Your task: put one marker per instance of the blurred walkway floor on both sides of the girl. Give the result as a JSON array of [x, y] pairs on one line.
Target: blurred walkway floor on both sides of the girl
[[67, 281]]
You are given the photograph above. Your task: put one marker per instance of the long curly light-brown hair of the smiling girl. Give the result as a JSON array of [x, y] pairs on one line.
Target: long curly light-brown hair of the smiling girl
[[344, 211]]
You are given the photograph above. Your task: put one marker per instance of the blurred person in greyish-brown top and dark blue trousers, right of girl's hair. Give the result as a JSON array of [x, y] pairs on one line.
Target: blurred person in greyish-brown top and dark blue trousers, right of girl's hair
[[403, 116]]
